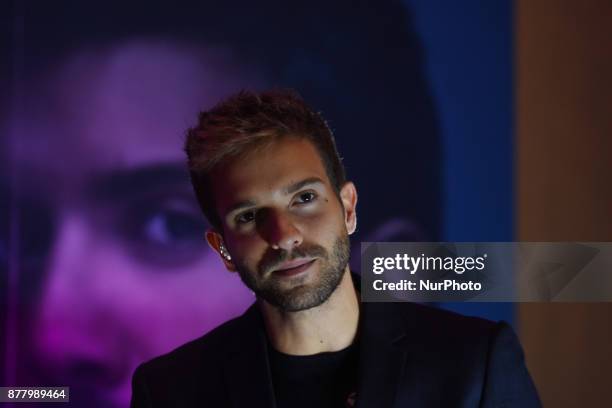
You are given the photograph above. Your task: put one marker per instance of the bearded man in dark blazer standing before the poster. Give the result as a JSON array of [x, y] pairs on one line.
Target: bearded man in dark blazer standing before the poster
[[269, 179]]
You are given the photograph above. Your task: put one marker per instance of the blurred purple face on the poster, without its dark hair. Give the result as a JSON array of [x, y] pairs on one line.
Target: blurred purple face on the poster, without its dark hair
[[113, 265]]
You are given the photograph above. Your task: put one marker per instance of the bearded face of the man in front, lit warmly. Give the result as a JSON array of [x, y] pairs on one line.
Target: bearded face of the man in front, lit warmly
[[283, 224]]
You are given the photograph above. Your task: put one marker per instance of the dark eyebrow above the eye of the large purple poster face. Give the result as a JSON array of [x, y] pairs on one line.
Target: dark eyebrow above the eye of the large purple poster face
[[125, 182]]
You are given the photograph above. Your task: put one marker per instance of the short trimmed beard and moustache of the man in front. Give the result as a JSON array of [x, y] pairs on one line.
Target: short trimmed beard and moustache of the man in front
[[301, 296]]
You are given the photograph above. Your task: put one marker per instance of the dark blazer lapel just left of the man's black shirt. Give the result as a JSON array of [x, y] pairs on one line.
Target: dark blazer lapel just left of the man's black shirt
[[246, 371]]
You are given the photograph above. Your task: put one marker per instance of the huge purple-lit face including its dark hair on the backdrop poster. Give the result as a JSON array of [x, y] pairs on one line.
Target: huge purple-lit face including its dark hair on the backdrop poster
[[104, 264]]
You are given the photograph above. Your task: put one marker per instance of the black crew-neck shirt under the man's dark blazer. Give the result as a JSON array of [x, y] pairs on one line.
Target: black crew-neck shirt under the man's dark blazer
[[324, 380]]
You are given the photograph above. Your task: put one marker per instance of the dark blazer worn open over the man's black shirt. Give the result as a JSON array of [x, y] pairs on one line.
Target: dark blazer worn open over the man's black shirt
[[410, 356]]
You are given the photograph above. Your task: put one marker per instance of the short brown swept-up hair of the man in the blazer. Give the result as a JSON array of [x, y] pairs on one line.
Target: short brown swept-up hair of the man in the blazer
[[246, 121]]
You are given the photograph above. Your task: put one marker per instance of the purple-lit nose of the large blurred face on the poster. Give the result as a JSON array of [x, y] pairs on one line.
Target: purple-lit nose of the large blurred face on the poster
[[72, 333]]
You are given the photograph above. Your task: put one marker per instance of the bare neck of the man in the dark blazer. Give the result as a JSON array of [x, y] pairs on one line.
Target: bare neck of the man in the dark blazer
[[331, 326]]
